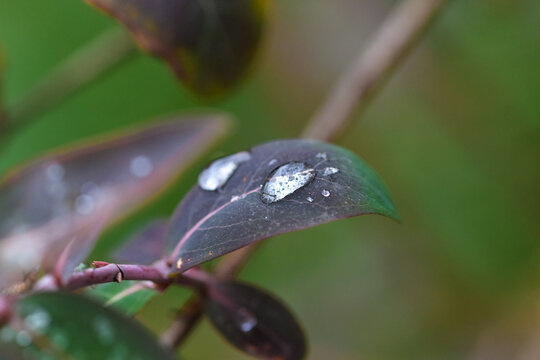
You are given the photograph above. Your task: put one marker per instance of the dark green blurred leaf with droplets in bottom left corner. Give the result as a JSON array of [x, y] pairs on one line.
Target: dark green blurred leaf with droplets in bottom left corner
[[67, 326]]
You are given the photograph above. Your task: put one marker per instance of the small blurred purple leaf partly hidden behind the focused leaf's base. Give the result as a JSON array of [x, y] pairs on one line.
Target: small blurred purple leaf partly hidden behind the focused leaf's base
[[145, 246]]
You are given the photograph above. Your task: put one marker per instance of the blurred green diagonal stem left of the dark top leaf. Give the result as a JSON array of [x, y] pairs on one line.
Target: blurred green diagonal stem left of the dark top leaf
[[81, 68]]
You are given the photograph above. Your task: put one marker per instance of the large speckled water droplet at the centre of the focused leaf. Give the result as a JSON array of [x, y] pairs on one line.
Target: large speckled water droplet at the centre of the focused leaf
[[285, 180]]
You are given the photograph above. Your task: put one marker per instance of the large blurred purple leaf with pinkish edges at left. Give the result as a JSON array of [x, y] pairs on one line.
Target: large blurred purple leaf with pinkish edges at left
[[52, 201]]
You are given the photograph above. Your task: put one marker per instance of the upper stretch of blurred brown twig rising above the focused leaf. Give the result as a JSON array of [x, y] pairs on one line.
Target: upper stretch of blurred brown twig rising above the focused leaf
[[397, 35]]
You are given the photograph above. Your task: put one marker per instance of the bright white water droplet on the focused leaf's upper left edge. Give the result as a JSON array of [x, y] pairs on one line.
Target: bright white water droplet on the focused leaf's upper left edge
[[221, 170]]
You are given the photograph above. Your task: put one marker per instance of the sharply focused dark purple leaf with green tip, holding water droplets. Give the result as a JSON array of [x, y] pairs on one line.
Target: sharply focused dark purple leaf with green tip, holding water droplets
[[338, 184]]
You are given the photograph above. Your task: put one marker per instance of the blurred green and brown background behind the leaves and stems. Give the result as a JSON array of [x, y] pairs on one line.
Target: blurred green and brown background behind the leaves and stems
[[455, 134]]
